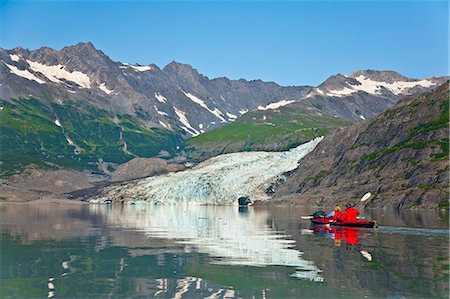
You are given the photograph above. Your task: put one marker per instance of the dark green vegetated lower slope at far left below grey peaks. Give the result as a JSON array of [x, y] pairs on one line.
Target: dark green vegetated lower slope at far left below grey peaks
[[29, 135]]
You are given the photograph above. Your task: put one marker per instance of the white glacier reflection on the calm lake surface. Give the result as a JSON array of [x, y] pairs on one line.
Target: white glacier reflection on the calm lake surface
[[226, 235]]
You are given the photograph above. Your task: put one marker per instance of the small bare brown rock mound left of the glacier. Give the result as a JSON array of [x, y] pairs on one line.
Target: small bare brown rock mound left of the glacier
[[139, 168]]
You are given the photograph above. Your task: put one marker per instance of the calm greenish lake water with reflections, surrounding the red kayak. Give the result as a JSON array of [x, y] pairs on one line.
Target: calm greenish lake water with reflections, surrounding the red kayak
[[98, 251]]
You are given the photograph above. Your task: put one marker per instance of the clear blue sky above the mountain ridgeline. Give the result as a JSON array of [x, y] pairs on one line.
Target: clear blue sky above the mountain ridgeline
[[288, 42]]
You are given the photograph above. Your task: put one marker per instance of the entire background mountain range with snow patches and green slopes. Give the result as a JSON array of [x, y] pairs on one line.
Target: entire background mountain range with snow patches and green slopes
[[77, 108]]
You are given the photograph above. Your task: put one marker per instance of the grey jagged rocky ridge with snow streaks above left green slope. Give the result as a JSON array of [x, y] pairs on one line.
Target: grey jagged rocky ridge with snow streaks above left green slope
[[173, 97]]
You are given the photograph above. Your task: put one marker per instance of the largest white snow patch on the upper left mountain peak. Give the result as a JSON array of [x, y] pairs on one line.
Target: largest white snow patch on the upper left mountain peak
[[56, 72]]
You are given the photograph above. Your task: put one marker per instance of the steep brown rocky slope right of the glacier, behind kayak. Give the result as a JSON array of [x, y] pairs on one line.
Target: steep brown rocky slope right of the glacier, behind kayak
[[401, 156]]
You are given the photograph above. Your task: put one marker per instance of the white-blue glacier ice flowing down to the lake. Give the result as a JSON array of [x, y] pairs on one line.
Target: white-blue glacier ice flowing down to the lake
[[219, 180]]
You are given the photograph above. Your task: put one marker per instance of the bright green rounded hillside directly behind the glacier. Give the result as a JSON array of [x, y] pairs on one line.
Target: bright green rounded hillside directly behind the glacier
[[263, 130]]
